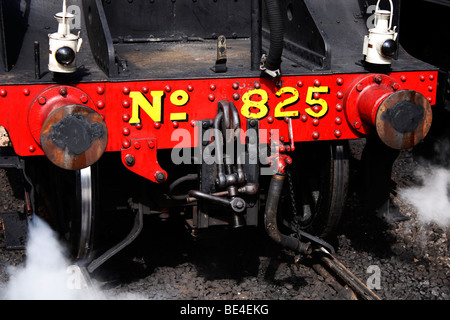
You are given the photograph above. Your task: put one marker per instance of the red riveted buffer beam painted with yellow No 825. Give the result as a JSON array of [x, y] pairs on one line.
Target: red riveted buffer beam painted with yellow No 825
[[320, 107]]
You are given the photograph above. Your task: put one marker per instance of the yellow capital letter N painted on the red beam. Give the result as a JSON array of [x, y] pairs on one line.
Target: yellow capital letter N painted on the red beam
[[141, 102]]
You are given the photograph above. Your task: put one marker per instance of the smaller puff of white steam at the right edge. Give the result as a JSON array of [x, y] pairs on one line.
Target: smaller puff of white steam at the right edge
[[431, 199]]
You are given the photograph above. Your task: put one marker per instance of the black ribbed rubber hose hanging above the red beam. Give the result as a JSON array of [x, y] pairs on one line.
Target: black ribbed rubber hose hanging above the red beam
[[273, 60]]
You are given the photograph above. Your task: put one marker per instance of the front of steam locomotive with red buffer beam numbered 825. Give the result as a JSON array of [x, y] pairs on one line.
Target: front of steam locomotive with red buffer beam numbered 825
[[230, 114]]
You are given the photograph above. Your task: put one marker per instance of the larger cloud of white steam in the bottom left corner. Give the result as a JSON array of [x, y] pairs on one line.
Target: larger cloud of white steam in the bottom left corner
[[47, 273]]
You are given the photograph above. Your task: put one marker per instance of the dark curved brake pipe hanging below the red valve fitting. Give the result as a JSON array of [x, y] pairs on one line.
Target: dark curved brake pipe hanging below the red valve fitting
[[270, 218]]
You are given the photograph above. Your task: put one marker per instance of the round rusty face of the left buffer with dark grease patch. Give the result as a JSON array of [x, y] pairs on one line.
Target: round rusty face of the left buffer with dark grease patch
[[74, 137]]
